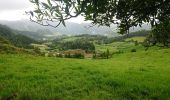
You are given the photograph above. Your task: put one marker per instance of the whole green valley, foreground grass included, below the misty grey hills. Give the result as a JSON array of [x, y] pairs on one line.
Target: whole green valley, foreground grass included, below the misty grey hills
[[83, 67]]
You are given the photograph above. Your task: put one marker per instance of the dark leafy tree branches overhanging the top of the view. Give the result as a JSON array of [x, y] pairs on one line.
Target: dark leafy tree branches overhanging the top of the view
[[125, 13]]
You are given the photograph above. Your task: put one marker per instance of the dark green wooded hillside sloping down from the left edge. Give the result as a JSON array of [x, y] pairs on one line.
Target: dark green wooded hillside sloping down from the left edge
[[17, 40]]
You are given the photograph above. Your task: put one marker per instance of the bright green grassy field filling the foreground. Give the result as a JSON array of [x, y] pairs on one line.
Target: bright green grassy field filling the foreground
[[143, 75]]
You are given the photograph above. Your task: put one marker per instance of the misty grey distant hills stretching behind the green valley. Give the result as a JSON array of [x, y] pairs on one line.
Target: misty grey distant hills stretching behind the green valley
[[70, 29]]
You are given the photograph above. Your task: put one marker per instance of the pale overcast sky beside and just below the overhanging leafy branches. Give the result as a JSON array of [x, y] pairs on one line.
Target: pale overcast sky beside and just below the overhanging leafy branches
[[13, 10]]
